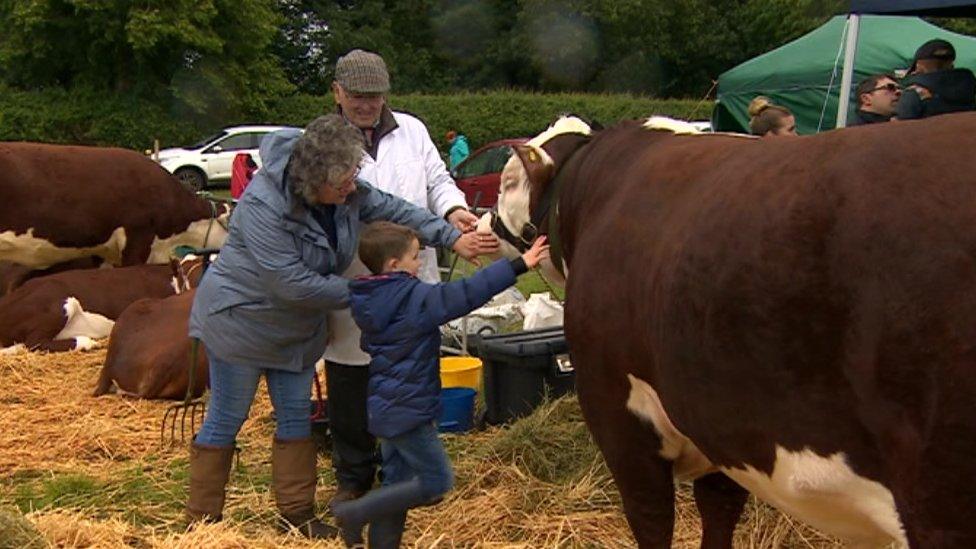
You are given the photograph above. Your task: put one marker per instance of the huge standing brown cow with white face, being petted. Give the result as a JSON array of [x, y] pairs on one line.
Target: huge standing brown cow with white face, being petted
[[796, 313]]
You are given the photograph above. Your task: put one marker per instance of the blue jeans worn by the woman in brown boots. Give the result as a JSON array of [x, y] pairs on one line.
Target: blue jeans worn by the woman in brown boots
[[232, 389]]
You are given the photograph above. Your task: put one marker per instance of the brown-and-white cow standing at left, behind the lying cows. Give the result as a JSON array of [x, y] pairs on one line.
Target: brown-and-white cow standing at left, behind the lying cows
[[60, 203]]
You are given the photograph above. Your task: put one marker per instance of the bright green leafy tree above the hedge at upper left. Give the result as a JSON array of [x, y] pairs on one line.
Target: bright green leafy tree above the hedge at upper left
[[205, 53]]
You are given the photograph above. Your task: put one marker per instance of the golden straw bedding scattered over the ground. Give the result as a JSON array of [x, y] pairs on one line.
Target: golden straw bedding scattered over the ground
[[538, 483]]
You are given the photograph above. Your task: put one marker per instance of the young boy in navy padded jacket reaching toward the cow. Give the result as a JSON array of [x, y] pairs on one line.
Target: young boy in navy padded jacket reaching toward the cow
[[400, 318]]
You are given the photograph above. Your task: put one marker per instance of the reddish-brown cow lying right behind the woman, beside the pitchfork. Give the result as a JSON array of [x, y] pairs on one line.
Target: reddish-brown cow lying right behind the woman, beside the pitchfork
[[149, 350]]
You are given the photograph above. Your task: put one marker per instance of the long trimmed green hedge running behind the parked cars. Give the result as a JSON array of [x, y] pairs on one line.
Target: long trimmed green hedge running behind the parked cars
[[89, 118]]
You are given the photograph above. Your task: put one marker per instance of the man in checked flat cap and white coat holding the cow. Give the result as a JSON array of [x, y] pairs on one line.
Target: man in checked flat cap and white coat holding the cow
[[402, 160]]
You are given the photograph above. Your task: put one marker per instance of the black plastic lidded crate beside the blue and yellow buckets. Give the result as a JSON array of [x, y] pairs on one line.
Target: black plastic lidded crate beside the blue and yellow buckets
[[520, 368]]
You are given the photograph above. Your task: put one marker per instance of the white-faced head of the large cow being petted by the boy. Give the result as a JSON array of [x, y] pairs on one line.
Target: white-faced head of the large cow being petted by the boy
[[526, 193]]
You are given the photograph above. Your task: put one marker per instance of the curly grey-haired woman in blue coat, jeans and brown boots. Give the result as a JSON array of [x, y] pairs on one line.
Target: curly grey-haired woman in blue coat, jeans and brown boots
[[261, 308]]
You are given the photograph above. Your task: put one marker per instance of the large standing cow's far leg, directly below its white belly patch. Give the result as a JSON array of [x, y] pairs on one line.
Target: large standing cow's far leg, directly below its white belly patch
[[720, 502]]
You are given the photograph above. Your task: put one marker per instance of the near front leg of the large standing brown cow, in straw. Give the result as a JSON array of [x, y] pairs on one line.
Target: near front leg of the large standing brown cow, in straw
[[630, 447]]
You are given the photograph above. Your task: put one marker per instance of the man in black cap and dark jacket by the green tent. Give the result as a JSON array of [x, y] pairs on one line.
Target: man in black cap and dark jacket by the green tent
[[934, 86]]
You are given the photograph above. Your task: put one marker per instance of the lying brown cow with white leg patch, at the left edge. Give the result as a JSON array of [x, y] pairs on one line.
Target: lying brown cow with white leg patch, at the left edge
[[67, 311]]
